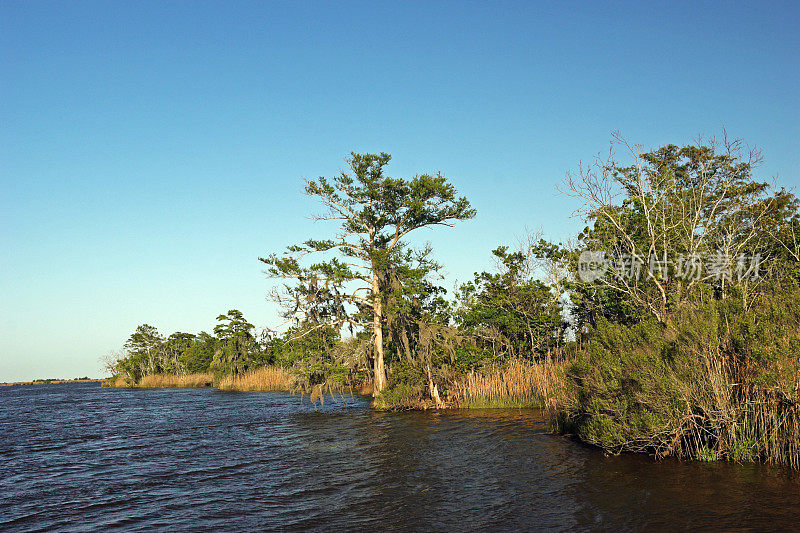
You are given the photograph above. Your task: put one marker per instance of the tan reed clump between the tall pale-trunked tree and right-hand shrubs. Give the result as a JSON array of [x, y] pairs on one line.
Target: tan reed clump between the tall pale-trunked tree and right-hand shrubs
[[518, 383]]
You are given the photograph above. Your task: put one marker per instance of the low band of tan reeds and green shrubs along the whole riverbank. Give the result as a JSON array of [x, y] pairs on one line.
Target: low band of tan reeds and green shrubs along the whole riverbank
[[639, 388]]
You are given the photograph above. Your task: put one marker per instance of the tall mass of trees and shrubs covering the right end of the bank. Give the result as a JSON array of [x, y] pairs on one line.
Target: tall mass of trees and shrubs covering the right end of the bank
[[704, 366]]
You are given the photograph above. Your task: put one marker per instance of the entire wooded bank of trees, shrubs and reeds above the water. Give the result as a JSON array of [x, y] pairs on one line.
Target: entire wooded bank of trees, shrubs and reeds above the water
[[670, 324]]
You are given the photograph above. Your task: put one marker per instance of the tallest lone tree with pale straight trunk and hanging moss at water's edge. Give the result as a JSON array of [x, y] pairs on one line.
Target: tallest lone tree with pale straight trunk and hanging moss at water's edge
[[367, 277]]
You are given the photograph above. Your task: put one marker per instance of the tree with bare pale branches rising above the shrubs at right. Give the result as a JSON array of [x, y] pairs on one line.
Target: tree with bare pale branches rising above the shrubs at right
[[661, 209]]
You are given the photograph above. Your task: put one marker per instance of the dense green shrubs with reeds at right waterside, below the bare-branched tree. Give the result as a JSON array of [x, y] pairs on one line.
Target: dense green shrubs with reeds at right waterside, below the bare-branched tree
[[720, 382]]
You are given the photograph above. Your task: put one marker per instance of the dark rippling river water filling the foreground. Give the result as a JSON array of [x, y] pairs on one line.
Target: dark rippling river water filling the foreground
[[80, 457]]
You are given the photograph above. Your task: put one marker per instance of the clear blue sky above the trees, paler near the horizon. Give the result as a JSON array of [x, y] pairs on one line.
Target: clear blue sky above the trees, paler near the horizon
[[151, 151]]
